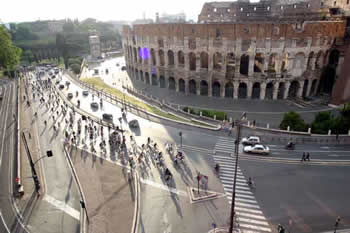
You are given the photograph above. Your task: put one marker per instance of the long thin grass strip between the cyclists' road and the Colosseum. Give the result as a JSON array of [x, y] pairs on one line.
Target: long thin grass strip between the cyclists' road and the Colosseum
[[99, 84]]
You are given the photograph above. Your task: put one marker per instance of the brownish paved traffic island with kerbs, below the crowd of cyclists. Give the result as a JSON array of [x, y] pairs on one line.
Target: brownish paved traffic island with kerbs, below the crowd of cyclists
[[109, 196]]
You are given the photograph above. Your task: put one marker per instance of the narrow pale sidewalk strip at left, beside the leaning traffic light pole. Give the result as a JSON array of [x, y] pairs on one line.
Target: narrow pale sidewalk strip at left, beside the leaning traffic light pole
[[26, 126]]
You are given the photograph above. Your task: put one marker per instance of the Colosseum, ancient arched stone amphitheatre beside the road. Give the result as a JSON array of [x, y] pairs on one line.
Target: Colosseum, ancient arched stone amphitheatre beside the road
[[273, 49]]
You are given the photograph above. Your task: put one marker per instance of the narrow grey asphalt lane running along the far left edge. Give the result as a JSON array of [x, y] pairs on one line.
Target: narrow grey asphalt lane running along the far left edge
[[11, 220]]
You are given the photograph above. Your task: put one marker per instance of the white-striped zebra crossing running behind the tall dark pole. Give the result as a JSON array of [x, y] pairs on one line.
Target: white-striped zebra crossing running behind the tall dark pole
[[249, 215]]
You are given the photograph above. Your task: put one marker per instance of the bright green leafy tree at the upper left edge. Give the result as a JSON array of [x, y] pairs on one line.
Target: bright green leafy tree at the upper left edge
[[9, 54]]
